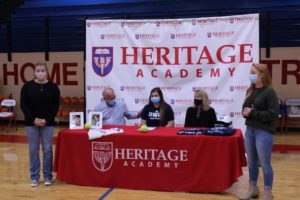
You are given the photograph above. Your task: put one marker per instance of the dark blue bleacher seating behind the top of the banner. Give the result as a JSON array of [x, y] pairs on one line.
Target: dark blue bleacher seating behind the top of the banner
[[67, 19]]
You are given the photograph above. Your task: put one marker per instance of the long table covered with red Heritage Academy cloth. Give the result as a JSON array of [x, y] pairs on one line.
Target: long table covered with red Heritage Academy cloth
[[157, 160]]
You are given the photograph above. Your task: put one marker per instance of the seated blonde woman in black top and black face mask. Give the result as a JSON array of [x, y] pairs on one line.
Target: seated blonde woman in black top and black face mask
[[201, 114]]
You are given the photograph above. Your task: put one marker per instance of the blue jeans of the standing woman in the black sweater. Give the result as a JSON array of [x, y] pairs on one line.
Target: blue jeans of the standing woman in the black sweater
[[45, 136]]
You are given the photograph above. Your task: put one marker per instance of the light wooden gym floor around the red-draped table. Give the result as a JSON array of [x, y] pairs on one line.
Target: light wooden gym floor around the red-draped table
[[14, 176]]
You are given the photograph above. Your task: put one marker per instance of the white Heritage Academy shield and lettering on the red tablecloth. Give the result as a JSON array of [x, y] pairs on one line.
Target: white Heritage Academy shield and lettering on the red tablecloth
[[103, 156]]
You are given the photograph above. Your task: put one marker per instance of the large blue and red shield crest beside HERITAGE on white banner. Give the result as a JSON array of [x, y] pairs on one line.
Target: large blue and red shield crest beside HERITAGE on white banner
[[102, 60]]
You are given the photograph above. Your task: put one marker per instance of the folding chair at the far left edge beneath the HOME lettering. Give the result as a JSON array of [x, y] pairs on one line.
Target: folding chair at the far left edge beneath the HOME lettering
[[7, 112]]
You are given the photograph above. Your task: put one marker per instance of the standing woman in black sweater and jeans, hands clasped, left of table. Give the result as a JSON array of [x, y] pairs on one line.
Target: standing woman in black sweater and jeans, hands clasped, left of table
[[40, 99]]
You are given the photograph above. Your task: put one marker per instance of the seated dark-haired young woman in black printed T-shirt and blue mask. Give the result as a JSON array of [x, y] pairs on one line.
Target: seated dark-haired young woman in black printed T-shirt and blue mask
[[157, 112]]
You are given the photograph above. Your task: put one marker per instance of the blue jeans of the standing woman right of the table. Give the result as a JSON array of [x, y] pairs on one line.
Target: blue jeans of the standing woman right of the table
[[259, 152]]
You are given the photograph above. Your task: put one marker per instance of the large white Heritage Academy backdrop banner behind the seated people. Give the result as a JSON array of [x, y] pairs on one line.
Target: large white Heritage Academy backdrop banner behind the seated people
[[178, 55]]
